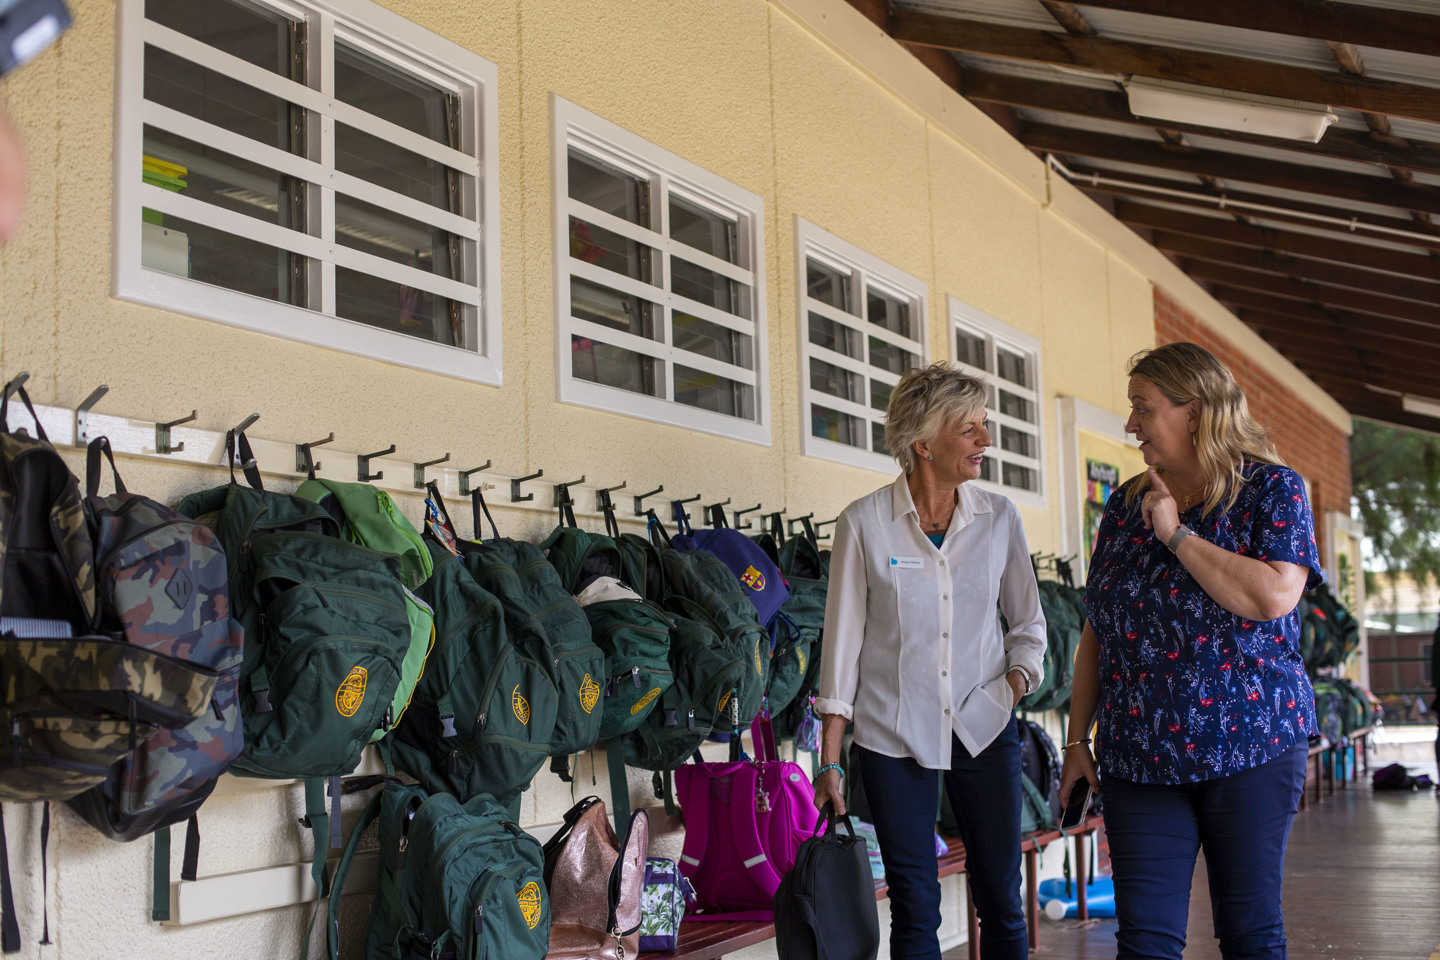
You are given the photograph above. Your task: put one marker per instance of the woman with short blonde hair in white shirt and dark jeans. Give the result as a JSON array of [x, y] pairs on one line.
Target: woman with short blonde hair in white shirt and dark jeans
[[915, 657]]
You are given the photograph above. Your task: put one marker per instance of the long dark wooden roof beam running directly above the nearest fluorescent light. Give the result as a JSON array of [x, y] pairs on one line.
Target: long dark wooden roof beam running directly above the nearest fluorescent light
[[1193, 67]]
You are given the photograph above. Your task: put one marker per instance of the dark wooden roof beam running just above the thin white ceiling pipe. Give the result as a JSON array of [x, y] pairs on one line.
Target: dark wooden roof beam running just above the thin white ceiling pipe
[[1274, 173]]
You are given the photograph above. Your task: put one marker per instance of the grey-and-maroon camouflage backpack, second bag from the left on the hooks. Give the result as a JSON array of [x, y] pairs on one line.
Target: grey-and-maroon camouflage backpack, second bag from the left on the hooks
[[162, 585]]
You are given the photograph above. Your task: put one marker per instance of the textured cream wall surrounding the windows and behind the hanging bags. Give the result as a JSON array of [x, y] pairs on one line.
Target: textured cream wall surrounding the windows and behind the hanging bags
[[767, 94]]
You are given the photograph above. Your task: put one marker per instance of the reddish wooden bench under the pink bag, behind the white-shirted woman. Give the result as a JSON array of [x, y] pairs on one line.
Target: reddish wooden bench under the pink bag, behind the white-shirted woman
[[709, 941]]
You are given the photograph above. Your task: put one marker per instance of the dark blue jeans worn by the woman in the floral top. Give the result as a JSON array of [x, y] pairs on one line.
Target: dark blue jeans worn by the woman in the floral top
[[1242, 823]]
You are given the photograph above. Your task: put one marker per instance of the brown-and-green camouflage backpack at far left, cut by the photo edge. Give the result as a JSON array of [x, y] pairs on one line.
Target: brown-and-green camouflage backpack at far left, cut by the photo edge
[[76, 700]]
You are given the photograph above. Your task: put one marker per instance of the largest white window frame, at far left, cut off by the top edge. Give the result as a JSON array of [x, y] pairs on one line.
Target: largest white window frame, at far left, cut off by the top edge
[[379, 34]]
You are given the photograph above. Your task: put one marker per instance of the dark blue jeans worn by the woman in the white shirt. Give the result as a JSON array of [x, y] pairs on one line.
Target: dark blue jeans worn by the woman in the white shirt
[[986, 797]]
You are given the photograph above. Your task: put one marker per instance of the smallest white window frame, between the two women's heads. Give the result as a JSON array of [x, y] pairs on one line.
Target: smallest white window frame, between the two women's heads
[[997, 333]]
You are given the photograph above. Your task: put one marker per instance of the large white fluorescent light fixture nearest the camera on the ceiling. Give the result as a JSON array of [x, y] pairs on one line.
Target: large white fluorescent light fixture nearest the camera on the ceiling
[[1228, 110]]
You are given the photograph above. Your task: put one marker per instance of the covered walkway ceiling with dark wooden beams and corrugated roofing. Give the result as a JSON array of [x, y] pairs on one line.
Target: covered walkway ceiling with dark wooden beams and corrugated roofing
[[1327, 250]]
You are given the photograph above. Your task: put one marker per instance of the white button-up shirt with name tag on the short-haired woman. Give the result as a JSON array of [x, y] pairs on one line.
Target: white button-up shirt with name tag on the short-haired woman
[[914, 647]]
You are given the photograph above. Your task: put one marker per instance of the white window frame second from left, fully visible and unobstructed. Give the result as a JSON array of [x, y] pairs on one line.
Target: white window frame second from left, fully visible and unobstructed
[[574, 126]]
